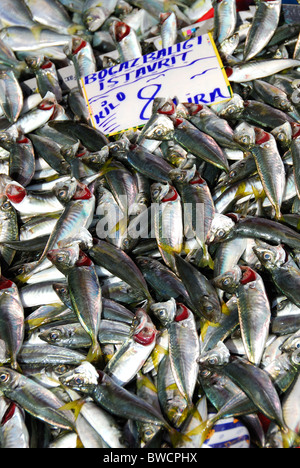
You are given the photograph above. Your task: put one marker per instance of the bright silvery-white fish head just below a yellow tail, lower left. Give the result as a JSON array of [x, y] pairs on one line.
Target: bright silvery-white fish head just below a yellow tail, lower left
[[82, 378]]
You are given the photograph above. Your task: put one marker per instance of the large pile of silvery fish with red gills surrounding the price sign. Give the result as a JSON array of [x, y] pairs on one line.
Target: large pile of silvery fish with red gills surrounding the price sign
[[149, 289]]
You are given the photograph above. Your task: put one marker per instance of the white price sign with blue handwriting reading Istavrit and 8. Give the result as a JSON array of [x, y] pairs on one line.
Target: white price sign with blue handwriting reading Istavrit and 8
[[121, 97]]
